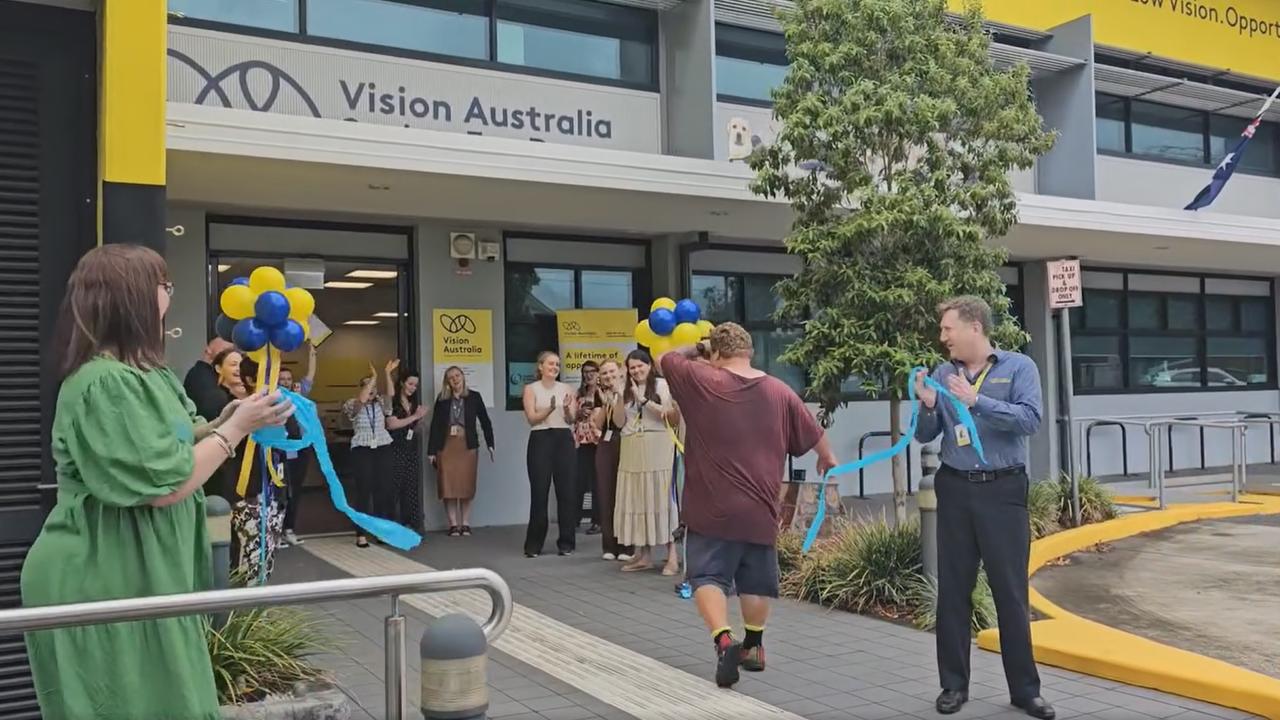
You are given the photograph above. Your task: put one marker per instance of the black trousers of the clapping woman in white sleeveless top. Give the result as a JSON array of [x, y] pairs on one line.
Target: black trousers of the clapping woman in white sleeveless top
[[552, 459]]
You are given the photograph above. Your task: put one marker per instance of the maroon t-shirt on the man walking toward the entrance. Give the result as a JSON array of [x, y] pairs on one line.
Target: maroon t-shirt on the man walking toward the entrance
[[738, 436]]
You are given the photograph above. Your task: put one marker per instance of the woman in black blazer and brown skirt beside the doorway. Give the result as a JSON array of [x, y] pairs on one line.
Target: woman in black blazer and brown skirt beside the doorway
[[454, 448]]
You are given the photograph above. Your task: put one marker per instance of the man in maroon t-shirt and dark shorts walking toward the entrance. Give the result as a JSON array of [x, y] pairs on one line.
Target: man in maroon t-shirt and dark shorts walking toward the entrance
[[740, 427]]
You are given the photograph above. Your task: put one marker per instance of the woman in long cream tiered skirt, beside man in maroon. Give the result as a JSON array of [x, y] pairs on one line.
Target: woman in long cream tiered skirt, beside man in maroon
[[646, 513]]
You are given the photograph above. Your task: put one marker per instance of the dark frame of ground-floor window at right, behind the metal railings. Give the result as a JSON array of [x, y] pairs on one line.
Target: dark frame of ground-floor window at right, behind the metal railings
[[1124, 332]]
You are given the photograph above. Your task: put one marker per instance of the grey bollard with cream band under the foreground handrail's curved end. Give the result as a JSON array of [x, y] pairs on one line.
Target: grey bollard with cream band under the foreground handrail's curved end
[[455, 669]]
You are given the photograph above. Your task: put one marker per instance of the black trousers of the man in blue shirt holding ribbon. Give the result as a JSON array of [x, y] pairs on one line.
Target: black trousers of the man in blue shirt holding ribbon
[[985, 522]]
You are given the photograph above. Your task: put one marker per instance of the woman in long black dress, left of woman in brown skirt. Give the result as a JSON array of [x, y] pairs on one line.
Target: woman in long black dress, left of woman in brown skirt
[[405, 426]]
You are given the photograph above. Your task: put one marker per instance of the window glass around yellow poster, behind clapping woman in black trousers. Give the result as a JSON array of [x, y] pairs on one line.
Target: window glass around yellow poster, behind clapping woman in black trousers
[[536, 293]]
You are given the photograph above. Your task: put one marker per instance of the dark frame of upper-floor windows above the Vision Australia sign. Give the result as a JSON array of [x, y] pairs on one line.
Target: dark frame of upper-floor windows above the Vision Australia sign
[[490, 63]]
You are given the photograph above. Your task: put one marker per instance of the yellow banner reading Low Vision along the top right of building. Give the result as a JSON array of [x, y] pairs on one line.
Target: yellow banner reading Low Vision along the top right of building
[[1241, 37]]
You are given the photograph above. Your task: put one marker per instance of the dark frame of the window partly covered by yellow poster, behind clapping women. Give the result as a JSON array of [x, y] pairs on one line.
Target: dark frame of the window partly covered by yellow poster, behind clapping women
[[642, 288]]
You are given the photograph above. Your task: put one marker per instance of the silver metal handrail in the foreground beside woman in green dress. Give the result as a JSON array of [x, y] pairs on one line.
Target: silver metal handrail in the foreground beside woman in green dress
[[79, 614]]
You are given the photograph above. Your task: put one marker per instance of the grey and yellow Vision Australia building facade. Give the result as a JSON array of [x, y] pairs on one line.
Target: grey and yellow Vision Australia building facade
[[589, 149]]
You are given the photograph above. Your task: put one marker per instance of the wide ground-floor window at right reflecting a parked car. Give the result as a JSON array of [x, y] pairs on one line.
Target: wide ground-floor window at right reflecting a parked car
[[1144, 332]]
